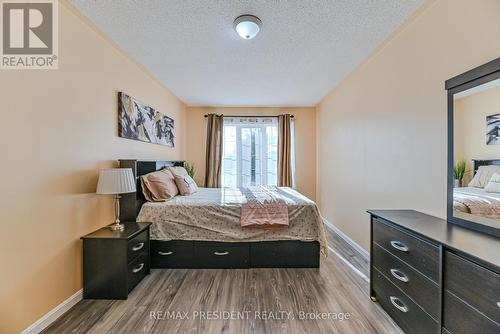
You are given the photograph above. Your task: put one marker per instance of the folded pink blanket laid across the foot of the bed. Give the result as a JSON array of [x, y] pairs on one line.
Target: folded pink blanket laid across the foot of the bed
[[264, 208]]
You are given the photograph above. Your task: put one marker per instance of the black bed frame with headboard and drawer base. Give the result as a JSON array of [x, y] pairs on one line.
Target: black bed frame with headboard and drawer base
[[211, 254]]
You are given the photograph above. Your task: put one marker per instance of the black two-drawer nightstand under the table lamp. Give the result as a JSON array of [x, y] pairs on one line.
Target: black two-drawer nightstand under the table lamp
[[114, 262]]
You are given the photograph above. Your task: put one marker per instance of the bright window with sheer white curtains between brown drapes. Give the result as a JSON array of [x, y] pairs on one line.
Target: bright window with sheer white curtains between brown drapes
[[250, 151]]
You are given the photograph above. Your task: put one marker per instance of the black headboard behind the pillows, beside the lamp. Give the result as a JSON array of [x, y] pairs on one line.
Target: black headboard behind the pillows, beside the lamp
[[130, 204]]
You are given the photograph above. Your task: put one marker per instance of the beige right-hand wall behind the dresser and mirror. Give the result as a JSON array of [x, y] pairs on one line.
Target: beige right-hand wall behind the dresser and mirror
[[382, 131]]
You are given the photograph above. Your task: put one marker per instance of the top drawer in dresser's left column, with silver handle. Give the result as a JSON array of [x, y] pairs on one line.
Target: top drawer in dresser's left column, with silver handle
[[416, 252]]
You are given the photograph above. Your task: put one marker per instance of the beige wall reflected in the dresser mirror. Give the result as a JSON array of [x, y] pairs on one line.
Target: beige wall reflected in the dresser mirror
[[470, 127]]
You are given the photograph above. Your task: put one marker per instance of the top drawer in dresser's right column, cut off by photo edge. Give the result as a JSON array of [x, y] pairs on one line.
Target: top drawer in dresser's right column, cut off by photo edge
[[476, 285]]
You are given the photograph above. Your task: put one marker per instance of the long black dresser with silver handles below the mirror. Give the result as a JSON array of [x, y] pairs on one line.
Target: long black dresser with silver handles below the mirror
[[434, 277]]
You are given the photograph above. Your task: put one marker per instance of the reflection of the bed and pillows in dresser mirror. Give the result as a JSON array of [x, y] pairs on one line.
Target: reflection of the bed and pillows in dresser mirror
[[476, 200]]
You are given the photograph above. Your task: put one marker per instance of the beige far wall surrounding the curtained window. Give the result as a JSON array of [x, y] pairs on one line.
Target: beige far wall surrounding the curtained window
[[305, 127]]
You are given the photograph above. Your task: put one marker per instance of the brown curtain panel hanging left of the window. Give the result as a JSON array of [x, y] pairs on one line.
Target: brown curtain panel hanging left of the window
[[213, 159]]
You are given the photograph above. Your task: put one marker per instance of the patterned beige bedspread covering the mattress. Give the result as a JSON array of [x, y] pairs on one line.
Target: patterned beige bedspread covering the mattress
[[213, 214]]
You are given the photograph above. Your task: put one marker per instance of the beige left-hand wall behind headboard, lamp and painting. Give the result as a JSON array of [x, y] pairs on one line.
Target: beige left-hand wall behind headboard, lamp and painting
[[58, 128]]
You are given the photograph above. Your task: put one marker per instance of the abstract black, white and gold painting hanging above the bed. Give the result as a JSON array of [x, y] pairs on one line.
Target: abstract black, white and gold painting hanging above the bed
[[140, 122]]
